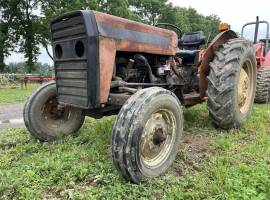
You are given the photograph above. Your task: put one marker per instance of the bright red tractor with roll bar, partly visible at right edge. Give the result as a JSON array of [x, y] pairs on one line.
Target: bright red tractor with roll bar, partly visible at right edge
[[263, 62]]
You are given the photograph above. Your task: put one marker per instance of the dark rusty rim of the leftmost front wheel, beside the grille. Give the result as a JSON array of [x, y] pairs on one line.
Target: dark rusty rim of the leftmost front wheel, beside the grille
[[53, 115]]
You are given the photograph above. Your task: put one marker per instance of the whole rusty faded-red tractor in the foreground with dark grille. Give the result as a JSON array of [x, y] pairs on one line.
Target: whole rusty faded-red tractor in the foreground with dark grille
[[106, 65]]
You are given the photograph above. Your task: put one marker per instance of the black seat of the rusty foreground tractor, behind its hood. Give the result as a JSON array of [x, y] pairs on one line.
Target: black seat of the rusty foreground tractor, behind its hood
[[192, 40]]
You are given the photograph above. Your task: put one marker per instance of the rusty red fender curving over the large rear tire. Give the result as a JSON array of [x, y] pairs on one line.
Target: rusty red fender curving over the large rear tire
[[208, 56]]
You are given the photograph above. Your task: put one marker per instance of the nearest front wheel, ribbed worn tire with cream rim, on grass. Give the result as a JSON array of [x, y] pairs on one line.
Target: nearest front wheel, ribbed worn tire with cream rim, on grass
[[146, 134]]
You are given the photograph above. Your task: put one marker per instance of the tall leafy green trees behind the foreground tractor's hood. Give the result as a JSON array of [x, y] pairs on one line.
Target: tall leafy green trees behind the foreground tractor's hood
[[25, 23]]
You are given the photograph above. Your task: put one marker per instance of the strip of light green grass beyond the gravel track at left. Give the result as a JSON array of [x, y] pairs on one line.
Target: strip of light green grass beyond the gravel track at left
[[16, 95]]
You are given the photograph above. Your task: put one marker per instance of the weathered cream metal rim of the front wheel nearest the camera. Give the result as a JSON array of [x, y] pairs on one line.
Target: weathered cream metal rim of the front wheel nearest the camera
[[158, 138]]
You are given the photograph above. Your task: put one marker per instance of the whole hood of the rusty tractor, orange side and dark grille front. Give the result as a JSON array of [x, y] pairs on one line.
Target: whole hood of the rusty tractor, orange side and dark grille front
[[84, 49]]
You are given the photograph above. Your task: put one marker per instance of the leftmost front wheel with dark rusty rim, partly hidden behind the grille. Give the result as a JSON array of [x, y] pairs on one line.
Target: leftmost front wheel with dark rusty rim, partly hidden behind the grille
[[45, 120]]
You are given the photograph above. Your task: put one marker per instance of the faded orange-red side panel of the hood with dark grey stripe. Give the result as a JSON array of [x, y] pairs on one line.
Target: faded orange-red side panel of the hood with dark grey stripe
[[118, 34]]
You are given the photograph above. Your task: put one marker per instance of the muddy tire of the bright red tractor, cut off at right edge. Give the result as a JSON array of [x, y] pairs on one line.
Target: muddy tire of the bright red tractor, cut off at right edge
[[263, 85]]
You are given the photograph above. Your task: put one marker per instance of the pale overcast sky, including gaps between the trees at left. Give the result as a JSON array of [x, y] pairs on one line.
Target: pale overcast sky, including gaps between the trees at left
[[234, 12]]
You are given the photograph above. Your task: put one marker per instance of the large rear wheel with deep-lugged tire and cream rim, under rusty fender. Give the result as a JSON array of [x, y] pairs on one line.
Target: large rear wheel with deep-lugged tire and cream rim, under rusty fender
[[231, 83]]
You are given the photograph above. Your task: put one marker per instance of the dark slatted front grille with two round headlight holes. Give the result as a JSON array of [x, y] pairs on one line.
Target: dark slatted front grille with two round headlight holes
[[70, 69]]
